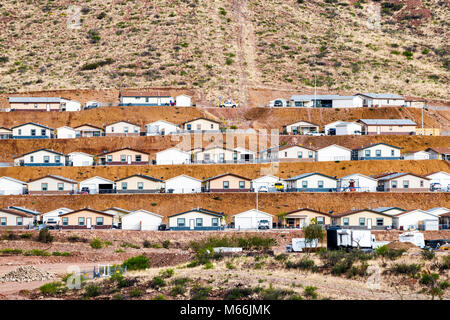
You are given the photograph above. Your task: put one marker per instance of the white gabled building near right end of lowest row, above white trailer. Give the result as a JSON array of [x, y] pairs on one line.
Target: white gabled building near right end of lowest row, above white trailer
[[415, 219]]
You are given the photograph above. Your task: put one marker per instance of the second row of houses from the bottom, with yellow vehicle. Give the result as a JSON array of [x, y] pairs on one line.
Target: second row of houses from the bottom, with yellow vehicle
[[229, 182]]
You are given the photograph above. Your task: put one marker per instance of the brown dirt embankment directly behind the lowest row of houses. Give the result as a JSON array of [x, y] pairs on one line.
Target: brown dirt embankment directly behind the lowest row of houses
[[167, 204]]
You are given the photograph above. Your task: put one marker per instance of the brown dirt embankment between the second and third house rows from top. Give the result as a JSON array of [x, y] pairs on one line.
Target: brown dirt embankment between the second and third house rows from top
[[153, 144]]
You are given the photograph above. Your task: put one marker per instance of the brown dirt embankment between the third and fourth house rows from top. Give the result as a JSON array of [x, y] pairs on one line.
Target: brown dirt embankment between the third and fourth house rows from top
[[252, 171]]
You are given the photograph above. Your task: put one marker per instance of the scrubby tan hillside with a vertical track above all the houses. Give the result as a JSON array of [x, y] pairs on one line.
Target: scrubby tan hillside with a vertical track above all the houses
[[222, 47]]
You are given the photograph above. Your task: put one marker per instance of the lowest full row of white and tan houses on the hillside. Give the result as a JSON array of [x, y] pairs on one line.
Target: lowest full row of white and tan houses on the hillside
[[205, 219]]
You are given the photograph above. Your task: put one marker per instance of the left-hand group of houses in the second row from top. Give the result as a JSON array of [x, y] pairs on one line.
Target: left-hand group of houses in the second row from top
[[32, 130]]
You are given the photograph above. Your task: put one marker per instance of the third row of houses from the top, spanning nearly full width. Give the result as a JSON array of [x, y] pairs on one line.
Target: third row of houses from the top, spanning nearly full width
[[220, 154]]
